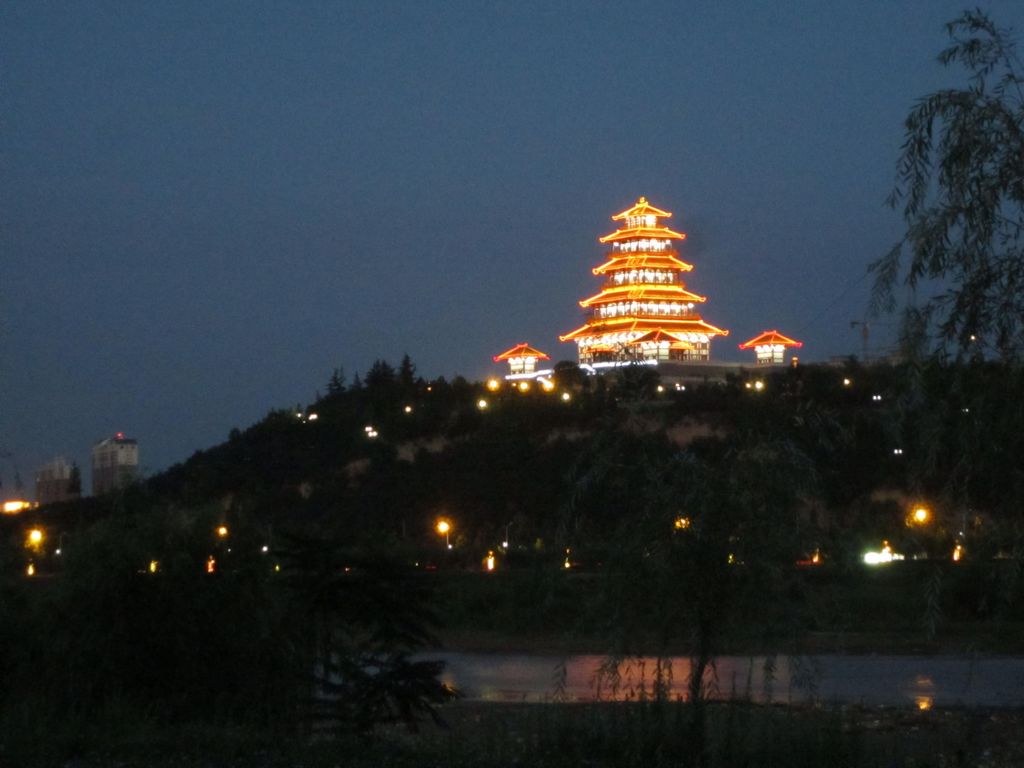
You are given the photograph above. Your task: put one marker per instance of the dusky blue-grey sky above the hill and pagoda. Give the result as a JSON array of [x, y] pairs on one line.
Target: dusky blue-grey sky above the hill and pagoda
[[206, 207]]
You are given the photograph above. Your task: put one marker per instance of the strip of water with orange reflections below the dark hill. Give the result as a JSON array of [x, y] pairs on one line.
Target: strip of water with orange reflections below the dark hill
[[913, 681]]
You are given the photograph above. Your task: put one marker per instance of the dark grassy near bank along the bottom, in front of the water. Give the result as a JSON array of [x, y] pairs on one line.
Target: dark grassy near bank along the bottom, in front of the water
[[554, 736]]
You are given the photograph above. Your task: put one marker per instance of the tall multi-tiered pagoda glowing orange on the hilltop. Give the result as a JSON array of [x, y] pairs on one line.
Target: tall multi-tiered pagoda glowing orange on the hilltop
[[644, 312]]
